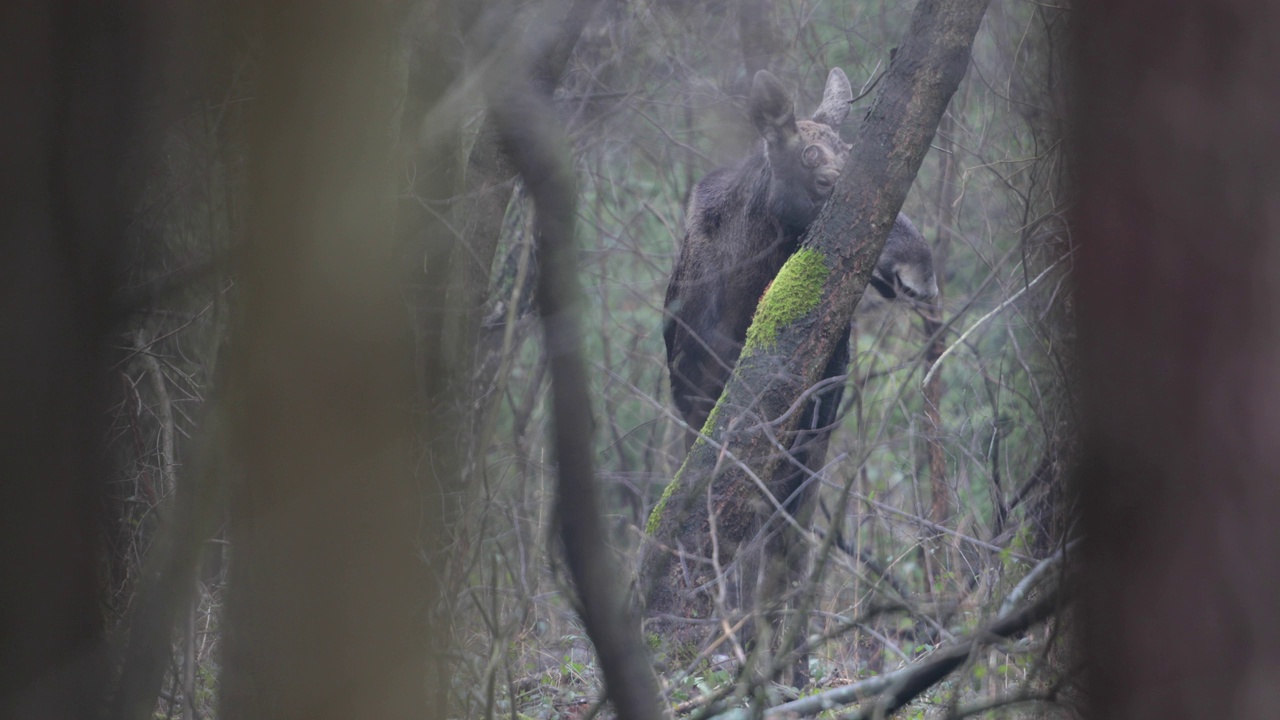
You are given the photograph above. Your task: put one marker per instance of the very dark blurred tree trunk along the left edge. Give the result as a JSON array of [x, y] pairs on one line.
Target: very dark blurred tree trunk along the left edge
[[70, 90]]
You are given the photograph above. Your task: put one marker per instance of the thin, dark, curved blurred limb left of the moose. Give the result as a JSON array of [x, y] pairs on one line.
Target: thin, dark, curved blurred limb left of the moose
[[527, 127]]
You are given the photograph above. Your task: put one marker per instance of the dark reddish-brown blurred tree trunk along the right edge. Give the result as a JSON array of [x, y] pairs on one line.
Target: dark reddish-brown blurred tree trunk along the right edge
[[1180, 288]]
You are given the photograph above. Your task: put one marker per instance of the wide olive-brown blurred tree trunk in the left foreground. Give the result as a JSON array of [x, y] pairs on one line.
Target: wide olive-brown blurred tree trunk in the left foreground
[[326, 610]]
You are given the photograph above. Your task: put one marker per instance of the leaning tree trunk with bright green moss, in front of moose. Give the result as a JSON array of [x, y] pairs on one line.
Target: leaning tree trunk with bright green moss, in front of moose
[[801, 321]]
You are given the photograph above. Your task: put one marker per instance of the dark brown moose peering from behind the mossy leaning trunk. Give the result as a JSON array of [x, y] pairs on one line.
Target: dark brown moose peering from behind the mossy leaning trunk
[[742, 224]]
